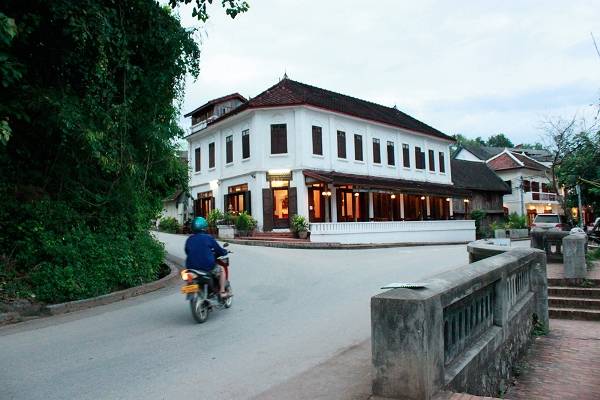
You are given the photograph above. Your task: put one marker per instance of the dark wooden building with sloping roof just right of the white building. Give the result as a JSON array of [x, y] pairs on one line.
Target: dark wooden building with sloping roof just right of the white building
[[486, 186]]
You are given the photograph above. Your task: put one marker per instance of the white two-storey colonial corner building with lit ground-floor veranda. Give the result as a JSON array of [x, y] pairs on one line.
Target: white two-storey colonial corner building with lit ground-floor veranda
[[346, 164]]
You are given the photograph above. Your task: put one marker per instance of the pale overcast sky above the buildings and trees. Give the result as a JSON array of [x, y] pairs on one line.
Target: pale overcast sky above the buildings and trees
[[476, 68]]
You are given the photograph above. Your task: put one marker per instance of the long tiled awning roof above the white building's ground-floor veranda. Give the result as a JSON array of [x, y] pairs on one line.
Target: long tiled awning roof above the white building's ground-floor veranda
[[366, 182]]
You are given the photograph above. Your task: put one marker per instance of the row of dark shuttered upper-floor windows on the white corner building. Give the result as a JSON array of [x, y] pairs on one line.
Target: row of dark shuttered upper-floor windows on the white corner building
[[279, 146]]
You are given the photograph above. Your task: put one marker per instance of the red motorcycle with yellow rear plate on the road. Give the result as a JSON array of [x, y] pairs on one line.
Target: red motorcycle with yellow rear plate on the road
[[202, 289]]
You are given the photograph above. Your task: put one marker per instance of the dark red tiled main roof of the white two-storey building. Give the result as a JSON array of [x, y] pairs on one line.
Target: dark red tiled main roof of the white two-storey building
[[288, 92]]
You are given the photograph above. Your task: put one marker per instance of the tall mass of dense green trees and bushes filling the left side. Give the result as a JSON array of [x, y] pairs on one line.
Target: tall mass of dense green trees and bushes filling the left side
[[88, 113]]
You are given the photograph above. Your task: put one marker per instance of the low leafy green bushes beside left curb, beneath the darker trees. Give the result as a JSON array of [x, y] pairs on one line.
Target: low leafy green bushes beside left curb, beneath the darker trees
[[71, 260]]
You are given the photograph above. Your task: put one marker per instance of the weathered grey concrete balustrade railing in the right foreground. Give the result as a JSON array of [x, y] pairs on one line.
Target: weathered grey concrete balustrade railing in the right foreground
[[462, 331]]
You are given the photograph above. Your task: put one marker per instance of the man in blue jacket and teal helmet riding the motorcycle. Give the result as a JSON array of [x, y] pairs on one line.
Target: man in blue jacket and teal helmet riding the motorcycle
[[202, 249]]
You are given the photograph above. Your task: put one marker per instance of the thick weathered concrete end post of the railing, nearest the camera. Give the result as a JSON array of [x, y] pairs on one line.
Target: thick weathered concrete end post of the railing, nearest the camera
[[407, 345]]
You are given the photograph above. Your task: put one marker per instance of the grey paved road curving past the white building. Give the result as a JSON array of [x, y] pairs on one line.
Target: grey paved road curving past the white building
[[293, 309]]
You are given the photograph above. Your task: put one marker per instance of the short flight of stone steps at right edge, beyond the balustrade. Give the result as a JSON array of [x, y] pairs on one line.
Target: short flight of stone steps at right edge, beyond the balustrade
[[566, 301]]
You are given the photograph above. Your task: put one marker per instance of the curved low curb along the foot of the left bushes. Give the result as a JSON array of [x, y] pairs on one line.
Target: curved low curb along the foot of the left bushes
[[70, 306]]
